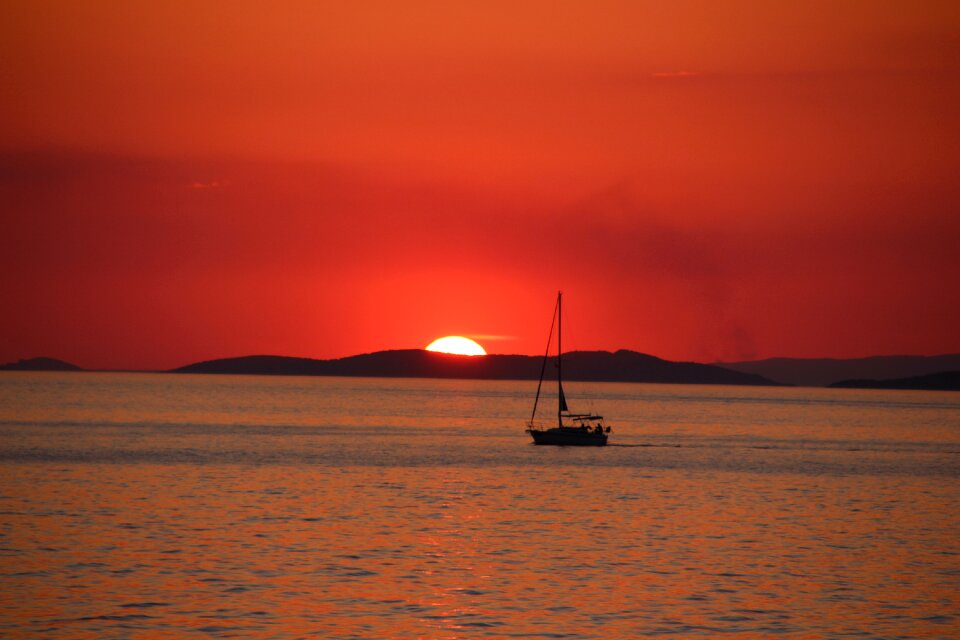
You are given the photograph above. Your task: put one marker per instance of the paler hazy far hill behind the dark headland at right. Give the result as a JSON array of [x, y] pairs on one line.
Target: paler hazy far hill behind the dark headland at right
[[819, 372]]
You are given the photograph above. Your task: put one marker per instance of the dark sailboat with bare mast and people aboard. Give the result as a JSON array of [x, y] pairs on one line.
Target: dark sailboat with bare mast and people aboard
[[573, 429]]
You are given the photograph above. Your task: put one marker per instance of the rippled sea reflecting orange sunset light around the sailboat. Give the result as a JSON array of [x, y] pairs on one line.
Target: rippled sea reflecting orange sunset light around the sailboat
[[138, 505]]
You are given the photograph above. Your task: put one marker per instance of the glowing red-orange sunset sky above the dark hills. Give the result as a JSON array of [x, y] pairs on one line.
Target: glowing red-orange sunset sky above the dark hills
[[704, 180]]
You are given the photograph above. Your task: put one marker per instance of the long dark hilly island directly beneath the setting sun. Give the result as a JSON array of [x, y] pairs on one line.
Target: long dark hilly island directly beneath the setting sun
[[622, 366]]
